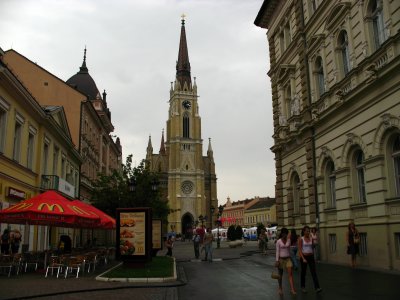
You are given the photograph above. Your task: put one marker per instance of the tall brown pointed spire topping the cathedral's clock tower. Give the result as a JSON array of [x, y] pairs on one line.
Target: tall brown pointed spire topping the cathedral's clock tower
[[183, 64]]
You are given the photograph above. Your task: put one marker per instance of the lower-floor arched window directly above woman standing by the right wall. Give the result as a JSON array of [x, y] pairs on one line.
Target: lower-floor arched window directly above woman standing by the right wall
[[358, 170]]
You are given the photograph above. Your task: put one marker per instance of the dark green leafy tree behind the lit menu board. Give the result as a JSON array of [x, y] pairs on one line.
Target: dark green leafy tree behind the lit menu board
[[112, 191]]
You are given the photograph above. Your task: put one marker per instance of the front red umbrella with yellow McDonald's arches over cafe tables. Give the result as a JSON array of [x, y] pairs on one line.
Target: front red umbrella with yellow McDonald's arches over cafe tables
[[49, 208]]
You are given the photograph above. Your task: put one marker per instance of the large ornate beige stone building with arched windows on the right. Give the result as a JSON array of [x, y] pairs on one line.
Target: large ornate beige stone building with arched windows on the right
[[336, 115]]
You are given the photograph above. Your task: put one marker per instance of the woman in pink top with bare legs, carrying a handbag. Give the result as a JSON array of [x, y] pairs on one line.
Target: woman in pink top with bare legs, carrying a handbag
[[282, 260]]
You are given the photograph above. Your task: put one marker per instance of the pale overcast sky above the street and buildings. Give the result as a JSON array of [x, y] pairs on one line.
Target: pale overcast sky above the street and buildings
[[132, 48]]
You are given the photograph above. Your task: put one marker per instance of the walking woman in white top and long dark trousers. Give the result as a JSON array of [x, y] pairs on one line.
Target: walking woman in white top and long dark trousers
[[306, 252]]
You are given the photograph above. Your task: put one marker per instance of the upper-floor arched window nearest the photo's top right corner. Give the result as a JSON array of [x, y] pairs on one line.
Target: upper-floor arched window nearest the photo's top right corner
[[376, 17]]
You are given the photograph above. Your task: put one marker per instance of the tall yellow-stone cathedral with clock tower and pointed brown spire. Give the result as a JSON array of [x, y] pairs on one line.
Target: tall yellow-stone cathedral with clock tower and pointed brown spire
[[187, 178]]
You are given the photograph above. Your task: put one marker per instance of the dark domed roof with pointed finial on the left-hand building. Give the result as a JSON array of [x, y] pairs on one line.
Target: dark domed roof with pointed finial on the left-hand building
[[83, 82]]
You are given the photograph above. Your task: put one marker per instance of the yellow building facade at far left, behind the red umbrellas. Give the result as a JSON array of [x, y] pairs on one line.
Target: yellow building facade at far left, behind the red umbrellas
[[36, 153]]
